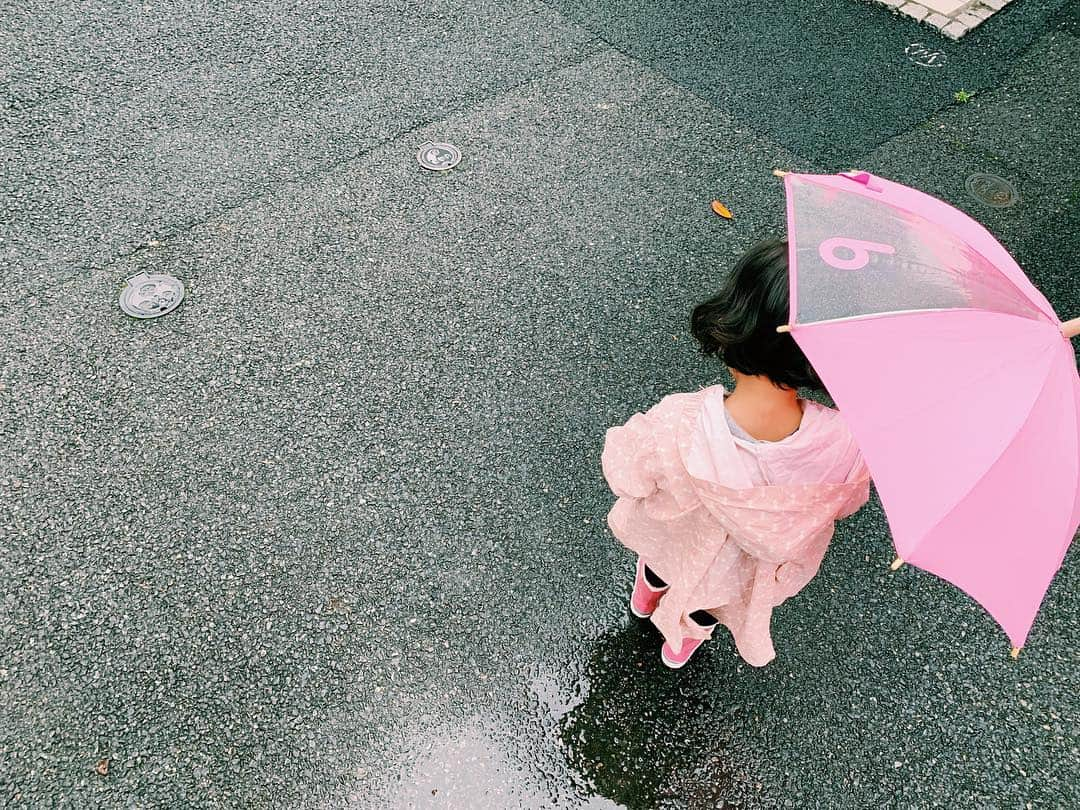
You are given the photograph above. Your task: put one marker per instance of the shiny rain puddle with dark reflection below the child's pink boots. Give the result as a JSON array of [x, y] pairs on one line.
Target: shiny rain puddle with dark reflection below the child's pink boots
[[616, 732]]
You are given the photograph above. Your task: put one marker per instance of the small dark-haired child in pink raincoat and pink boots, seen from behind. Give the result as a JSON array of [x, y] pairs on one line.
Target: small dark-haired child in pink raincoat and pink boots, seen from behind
[[731, 501]]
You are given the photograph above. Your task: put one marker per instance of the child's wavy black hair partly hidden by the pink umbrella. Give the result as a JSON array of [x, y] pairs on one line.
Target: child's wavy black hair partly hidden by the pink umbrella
[[740, 323]]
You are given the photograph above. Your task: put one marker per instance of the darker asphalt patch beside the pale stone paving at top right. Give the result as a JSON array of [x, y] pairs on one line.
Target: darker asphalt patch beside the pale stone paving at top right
[[829, 79]]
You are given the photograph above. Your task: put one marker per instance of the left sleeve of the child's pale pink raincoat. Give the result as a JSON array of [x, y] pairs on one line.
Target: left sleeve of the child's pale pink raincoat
[[630, 458]]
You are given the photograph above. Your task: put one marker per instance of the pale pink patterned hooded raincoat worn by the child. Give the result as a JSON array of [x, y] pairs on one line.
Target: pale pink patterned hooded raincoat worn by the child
[[734, 526]]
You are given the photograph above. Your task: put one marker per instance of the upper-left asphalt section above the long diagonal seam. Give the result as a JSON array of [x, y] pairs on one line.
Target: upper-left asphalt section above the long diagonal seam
[[125, 123]]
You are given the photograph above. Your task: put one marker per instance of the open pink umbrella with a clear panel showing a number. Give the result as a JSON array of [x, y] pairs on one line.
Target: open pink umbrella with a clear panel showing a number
[[978, 458]]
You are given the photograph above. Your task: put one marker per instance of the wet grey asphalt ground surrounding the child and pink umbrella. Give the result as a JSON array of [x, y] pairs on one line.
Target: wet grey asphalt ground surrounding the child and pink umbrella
[[333, 534]]
